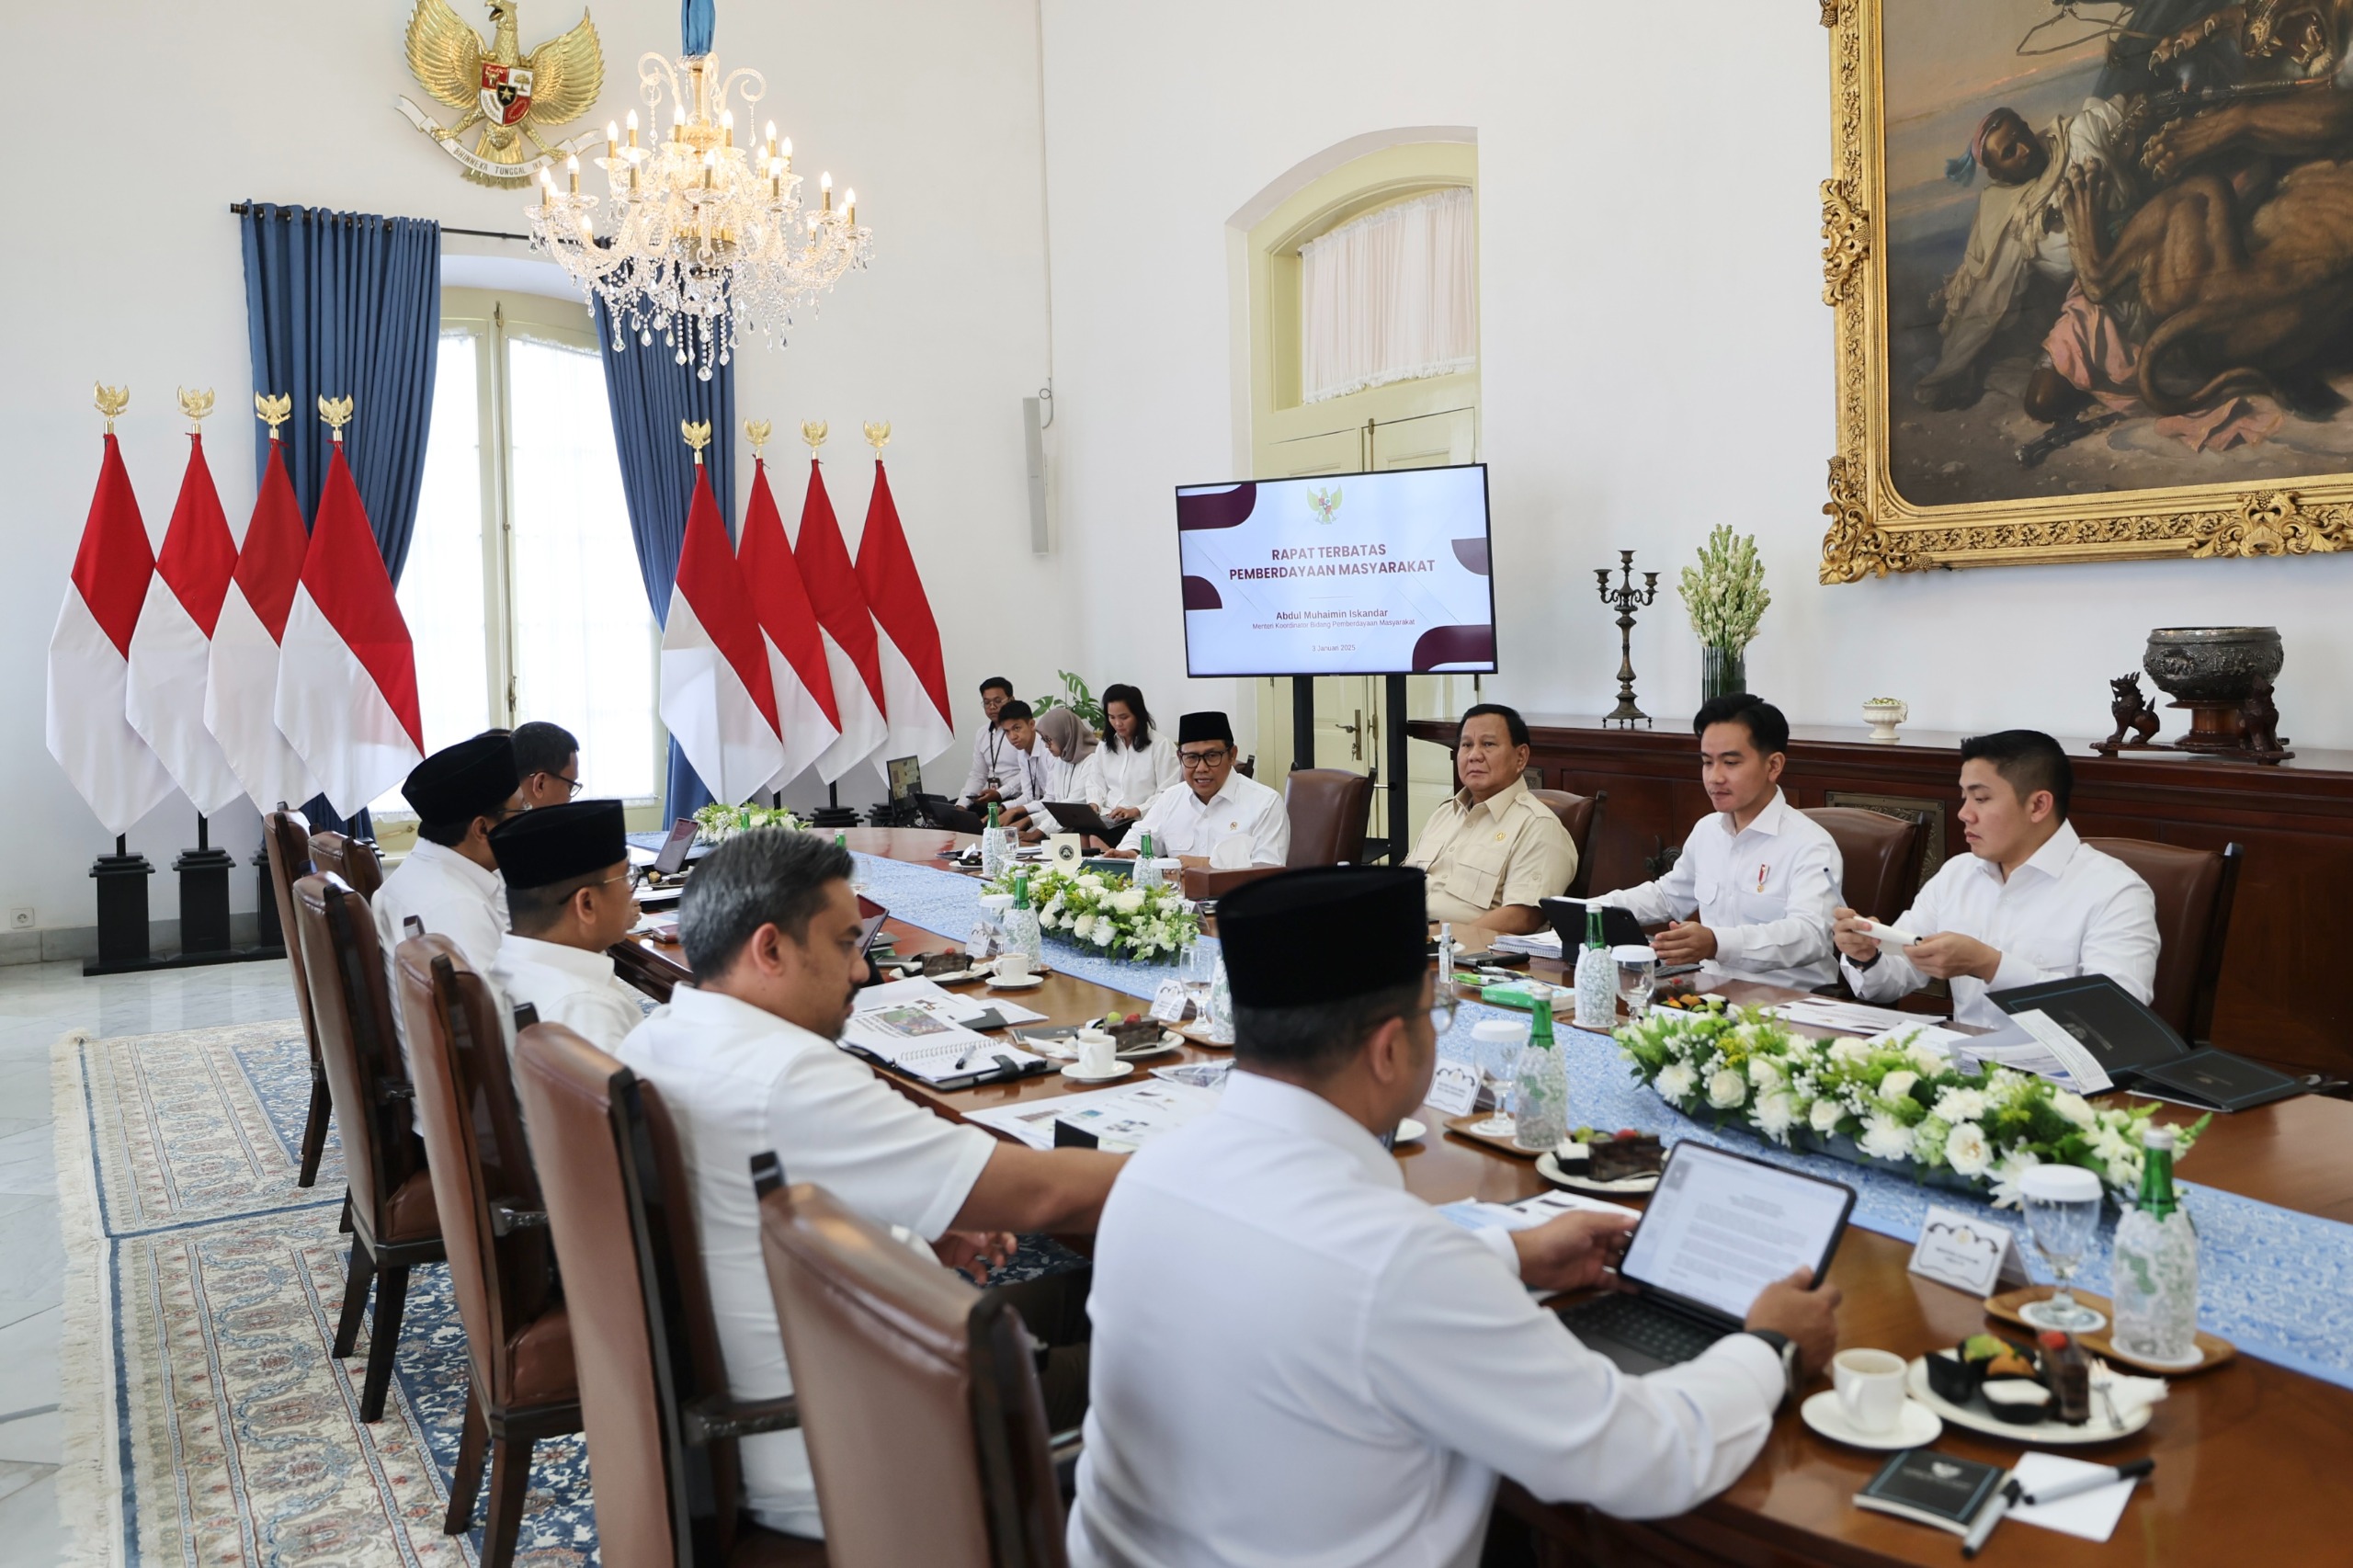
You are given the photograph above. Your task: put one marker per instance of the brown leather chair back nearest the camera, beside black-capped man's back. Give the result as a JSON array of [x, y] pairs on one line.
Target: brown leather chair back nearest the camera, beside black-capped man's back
[[907, 1371]]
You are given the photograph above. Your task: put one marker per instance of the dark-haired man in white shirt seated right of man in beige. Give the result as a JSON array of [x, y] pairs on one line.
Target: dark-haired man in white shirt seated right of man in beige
[[1761, 875]]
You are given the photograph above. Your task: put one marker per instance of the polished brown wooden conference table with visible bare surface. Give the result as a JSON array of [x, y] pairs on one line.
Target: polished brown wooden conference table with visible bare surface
[[2251, 1456]]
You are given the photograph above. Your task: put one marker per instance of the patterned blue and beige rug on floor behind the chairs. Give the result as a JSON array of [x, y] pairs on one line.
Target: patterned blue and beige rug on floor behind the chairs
[[211, 1421]]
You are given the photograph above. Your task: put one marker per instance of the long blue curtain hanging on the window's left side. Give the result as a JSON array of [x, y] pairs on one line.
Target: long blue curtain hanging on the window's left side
[[347, 305]]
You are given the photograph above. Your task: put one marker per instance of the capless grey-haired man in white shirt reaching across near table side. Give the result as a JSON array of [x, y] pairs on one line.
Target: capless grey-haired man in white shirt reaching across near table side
[[747, 1065]]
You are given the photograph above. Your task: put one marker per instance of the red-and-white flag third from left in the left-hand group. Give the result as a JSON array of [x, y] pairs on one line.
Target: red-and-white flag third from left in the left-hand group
[[241, 698]]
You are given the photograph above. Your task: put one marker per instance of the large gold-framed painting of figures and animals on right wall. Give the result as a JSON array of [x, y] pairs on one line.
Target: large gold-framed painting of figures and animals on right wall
[[2093, 270]]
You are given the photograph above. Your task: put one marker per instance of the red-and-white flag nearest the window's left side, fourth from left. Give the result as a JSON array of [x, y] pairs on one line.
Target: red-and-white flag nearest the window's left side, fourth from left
[[347, 670]]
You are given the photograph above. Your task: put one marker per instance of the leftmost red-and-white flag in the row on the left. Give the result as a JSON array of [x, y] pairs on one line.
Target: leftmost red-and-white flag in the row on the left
[[91, 738]]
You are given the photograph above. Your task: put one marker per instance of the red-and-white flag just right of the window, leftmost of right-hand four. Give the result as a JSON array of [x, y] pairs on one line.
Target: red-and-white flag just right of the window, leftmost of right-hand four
[[716, 691]]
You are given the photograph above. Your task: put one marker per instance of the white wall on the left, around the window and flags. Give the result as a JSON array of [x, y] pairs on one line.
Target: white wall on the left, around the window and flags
[[133, 274]]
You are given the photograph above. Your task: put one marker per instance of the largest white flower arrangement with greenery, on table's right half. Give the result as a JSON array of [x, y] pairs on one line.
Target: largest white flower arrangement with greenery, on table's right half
[[1898, 1103]]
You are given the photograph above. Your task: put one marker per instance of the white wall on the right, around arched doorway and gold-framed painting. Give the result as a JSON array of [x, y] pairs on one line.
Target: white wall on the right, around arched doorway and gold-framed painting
[[1655, 352]]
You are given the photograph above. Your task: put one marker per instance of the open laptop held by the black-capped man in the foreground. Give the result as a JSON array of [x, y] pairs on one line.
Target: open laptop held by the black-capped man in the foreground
[[1719, 1230]]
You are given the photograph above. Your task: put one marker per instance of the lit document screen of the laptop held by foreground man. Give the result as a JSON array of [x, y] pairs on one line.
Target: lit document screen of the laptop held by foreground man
[[1721, 1230]]
